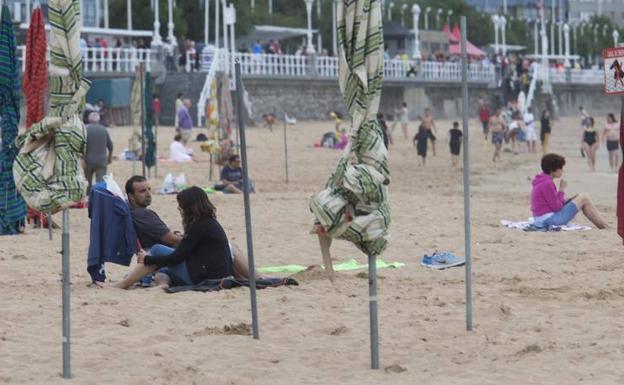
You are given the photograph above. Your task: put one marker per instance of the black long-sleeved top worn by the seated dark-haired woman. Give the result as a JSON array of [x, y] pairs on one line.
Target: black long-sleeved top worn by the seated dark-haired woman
[[204, 248]]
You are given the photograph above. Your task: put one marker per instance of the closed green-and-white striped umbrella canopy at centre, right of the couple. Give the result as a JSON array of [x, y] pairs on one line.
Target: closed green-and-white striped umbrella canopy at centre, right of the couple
[[354, 204]]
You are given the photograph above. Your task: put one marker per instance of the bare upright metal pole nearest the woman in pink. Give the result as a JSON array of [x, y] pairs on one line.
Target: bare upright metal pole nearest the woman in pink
[[467, 235]]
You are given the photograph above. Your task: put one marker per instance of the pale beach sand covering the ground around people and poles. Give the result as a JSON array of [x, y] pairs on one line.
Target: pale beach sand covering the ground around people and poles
[[547, 307]]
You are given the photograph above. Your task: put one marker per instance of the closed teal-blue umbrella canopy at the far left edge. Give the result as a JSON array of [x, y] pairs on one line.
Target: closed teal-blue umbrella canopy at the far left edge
[[12, 206]]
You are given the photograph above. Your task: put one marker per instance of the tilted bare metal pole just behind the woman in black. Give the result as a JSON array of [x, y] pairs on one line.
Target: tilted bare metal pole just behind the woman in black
[[243, 150]]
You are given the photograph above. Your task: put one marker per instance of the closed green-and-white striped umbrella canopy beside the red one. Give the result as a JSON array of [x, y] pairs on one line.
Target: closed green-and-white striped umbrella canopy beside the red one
[[47, 170]]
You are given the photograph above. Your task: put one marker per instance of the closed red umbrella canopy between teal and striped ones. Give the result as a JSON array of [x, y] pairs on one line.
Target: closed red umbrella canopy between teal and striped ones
[[36, 74]]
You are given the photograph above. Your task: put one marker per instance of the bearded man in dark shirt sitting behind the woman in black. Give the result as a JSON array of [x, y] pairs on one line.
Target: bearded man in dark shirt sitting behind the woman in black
[[151, 230]]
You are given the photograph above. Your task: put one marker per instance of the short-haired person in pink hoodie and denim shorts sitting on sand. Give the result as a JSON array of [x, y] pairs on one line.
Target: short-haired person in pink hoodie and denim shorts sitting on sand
[[549, 206]]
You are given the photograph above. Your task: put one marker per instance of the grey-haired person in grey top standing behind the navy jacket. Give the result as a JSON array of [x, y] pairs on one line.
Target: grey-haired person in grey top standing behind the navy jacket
[[99, 153]]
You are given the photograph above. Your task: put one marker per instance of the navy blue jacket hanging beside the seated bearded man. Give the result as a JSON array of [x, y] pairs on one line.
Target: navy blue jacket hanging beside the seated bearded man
[[112, 235]]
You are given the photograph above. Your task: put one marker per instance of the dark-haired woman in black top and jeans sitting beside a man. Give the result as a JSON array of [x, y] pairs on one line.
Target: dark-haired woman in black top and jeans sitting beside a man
[[203, 253]]
